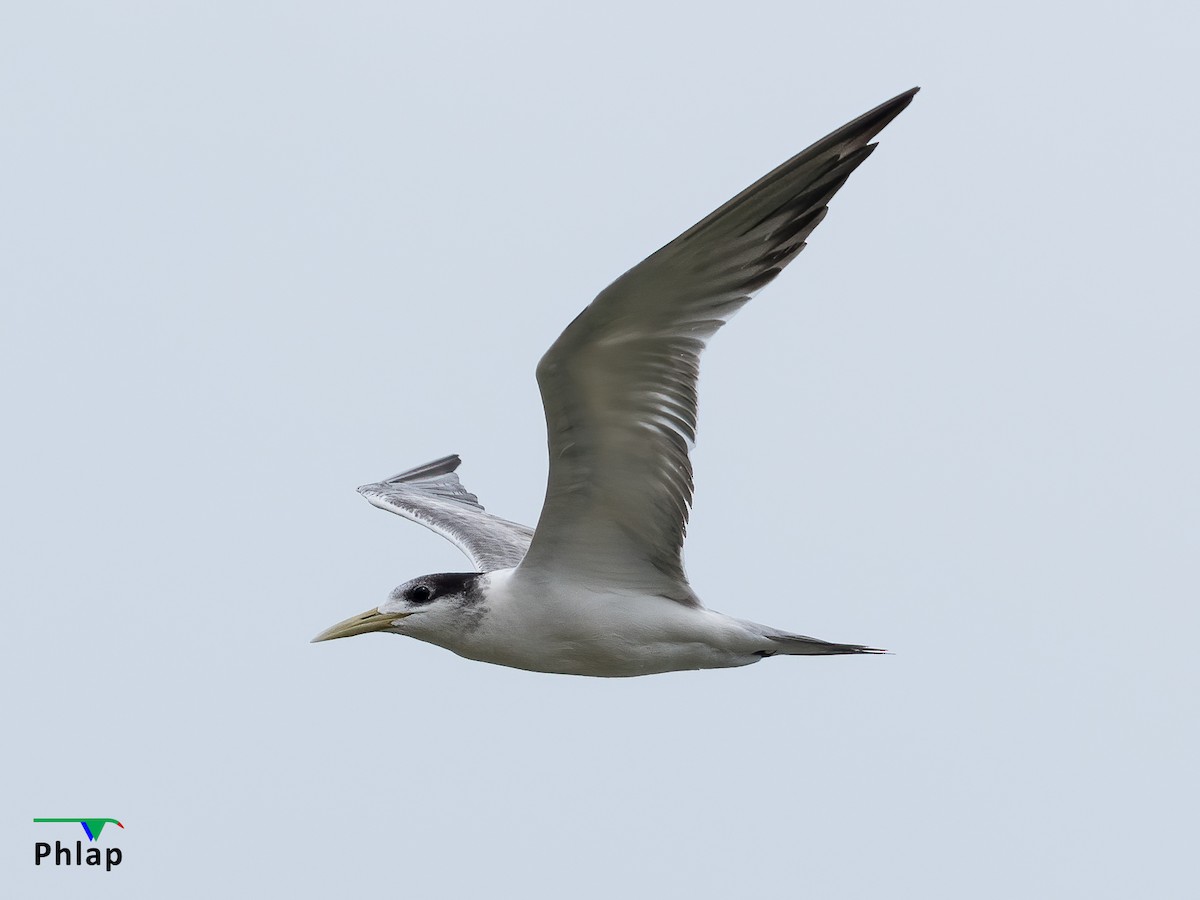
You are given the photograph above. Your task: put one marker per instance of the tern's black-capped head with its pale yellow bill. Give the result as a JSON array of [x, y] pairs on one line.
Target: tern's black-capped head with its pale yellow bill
[[434, 608]]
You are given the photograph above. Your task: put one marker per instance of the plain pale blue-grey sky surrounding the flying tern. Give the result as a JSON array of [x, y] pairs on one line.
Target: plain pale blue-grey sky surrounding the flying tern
[[257, 254]]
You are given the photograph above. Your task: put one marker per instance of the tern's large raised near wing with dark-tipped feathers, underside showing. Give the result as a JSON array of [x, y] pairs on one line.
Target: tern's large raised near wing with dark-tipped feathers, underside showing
[[620, 383]]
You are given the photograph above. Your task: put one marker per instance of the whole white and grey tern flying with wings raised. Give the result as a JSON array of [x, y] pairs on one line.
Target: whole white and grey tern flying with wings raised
[[599, 587]]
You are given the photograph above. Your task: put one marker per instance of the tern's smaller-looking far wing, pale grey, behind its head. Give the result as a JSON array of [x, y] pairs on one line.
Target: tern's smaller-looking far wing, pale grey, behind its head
[[434, 496]]
